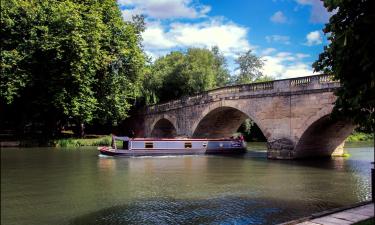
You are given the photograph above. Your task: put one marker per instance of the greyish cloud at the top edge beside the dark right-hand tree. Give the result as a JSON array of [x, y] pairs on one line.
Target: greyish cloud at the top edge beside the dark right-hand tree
[[319, 13]]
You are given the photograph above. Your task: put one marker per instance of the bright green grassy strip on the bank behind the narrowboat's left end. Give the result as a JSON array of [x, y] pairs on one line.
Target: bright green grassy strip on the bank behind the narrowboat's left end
[[78, 142]]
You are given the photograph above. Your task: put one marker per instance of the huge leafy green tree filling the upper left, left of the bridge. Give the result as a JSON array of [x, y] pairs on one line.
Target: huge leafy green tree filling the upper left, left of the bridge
[[67, 60]]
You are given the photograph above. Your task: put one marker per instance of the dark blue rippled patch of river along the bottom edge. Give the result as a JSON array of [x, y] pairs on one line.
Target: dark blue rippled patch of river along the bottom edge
[[225, 210]]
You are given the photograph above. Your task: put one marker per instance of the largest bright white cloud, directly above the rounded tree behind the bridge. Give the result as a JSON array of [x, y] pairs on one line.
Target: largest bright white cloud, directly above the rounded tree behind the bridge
[[229, 37]]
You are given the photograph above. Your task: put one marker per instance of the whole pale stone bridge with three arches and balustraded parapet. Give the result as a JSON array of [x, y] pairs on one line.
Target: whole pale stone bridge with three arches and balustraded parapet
[[293, 115]]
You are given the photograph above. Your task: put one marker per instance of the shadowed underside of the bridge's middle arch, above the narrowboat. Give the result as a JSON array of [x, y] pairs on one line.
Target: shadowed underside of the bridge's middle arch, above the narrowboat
[[220, 122]]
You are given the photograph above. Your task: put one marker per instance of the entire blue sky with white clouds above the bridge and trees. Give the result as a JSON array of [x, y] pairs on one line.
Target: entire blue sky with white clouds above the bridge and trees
[[286, 34]]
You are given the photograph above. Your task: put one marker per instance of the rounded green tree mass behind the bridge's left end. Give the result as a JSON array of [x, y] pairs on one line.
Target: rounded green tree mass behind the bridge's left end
[[184, 73]]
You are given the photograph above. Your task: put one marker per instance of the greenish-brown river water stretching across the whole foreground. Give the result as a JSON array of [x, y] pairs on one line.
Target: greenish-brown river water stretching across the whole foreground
[[76, 187]]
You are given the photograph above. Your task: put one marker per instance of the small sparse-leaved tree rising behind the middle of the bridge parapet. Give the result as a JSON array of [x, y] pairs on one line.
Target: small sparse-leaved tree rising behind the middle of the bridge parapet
[[250, 67]]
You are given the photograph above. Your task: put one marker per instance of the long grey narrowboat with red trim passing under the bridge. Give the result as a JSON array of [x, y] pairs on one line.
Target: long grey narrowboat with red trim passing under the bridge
[[155, 147]]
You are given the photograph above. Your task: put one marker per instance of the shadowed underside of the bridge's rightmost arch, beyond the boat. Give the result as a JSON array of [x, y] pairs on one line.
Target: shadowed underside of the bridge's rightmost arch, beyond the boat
[[322, 137]]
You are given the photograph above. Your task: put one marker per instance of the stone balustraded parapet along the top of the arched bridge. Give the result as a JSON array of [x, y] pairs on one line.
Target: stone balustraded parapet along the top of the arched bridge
[[262, 89]]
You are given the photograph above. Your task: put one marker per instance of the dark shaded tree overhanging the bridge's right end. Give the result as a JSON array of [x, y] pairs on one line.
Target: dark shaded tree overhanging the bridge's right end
[[350, 56]]
